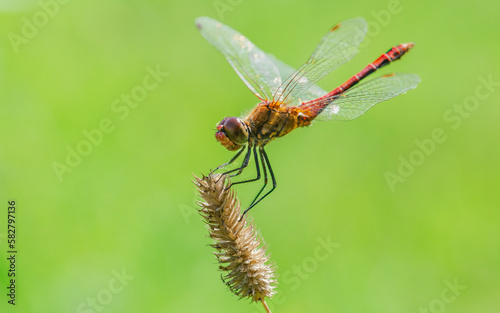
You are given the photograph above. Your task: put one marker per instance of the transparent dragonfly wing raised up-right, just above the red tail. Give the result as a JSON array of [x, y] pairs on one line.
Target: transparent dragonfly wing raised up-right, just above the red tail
[[336, 48]]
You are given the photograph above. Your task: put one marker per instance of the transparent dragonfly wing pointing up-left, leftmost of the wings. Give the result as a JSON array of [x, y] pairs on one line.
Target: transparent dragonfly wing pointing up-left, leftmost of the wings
[[251, 64]]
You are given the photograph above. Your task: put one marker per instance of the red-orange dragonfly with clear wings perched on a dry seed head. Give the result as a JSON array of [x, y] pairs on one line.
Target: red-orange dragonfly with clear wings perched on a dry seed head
[[289, 98]]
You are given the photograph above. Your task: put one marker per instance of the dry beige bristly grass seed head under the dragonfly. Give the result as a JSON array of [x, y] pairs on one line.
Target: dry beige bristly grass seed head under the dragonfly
[[238, 245]]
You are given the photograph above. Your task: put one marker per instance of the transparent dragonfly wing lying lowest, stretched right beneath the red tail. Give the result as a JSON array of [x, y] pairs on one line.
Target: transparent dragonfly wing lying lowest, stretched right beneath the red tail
[[360, 98]]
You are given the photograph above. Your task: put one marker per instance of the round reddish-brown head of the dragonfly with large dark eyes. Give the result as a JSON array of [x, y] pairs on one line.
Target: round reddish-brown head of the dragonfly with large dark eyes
[[232, 133]]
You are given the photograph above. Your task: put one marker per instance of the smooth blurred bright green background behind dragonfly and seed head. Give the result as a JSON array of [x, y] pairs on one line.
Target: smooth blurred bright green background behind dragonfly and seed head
[[126, 210]]
